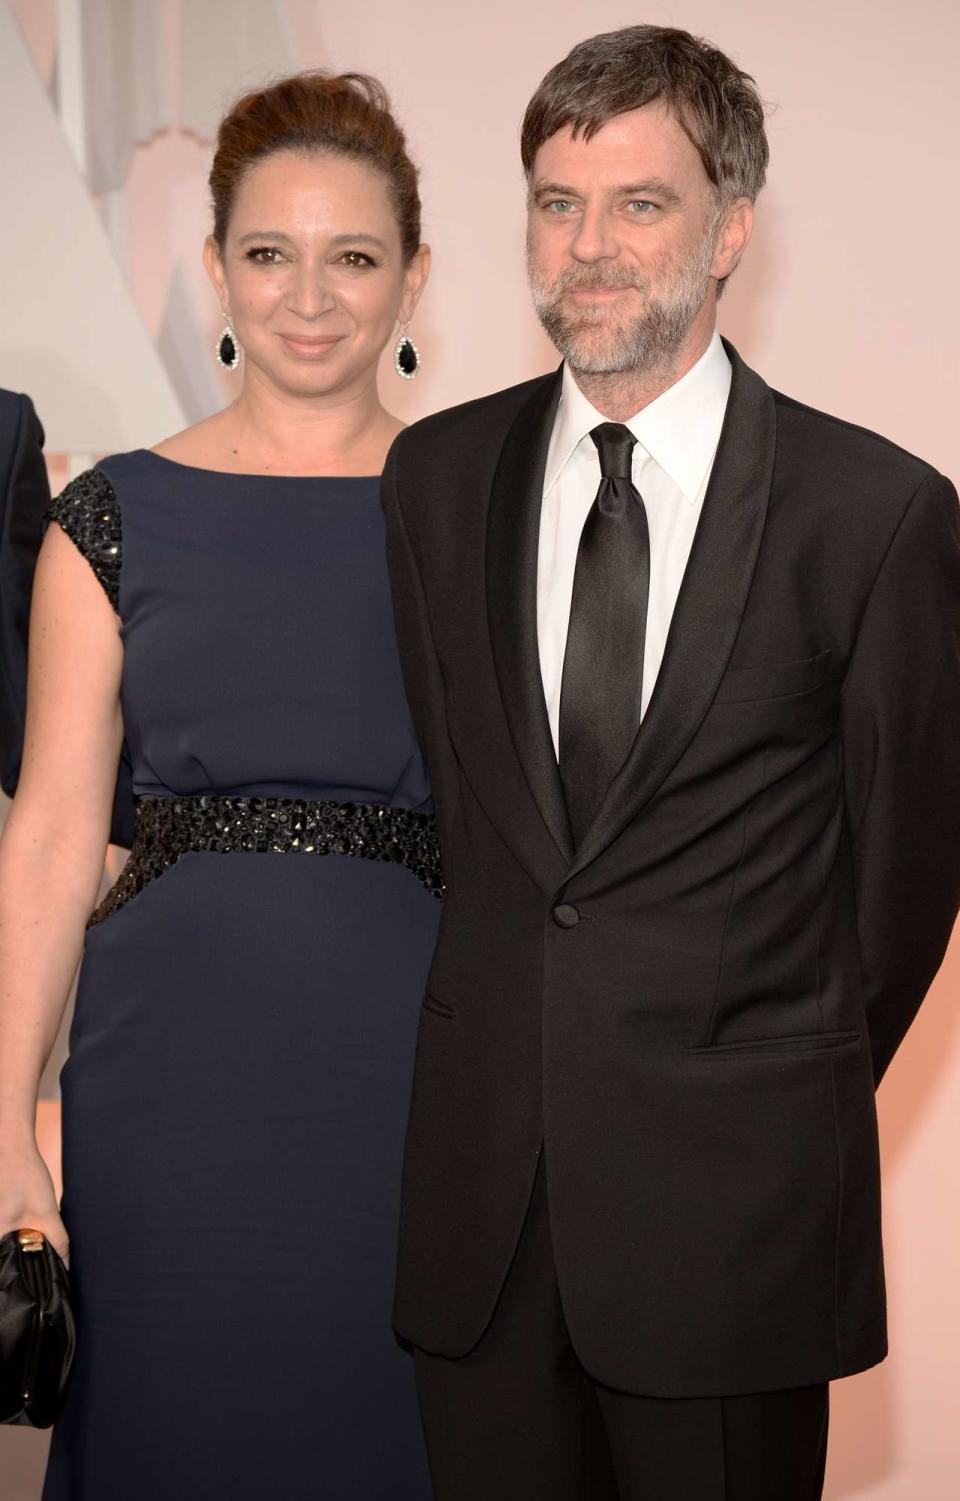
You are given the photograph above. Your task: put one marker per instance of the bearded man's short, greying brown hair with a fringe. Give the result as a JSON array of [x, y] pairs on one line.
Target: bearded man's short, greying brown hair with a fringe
[[713, 101]]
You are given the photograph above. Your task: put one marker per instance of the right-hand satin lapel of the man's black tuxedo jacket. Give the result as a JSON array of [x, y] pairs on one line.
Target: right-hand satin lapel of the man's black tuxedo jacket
[[709, 609]]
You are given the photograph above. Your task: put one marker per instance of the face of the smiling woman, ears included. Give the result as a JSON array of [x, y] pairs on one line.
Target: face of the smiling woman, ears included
[[313, 275]]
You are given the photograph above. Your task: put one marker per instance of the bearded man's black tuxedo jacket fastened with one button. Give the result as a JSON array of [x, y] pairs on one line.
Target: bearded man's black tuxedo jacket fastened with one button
[[688, 1014]]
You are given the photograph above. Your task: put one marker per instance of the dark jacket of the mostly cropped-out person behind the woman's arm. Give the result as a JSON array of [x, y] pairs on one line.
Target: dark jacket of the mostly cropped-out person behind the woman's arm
[[25, 498]]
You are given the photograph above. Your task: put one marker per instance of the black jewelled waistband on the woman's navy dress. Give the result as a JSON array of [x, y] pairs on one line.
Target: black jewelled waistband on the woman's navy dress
[[169, 828]]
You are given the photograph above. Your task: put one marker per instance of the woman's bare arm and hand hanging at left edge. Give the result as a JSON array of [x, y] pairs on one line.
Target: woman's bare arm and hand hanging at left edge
[[53, 847]]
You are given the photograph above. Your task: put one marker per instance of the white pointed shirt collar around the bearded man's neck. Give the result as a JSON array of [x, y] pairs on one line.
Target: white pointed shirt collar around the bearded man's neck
[[680, 430]]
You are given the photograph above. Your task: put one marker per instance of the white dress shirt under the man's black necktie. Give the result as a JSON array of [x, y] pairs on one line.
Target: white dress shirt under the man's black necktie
[[677, 441]]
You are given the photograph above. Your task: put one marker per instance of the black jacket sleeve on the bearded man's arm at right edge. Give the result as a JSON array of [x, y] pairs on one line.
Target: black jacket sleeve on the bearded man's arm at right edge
[[902, 765]]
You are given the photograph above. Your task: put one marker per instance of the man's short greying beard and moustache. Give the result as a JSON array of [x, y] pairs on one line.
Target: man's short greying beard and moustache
[[595, 344]]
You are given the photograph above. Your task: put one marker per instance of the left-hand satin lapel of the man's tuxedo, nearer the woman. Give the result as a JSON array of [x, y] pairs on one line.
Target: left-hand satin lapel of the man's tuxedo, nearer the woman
[[512, 550]]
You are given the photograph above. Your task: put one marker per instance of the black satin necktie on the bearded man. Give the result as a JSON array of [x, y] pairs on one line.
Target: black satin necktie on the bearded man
[[604, 664]]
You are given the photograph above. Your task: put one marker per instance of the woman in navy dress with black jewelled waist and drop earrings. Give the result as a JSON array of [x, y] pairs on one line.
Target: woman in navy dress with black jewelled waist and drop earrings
[[241, 1062]]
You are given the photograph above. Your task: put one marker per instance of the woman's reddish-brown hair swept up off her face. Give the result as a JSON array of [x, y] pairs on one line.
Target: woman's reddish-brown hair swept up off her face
[[316, 112]]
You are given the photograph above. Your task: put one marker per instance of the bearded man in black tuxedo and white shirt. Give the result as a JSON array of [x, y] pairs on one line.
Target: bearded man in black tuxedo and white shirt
[[686, 661]]
